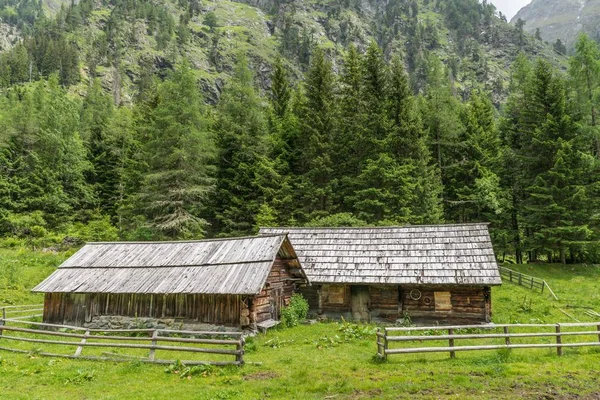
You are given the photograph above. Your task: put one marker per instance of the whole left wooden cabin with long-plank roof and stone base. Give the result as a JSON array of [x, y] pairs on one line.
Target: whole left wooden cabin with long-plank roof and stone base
[[237, 282]]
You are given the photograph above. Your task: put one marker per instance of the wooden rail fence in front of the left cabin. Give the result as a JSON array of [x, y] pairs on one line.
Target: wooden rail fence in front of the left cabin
[[142, 344]]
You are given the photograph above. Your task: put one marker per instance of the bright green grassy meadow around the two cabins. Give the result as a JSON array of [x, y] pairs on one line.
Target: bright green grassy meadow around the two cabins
[[331, 360]]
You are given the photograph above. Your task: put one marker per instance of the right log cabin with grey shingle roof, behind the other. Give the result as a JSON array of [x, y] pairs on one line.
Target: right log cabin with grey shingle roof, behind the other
[[430, 274]]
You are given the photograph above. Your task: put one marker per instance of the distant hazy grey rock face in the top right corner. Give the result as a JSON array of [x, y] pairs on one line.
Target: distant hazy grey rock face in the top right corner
[[561, 19]]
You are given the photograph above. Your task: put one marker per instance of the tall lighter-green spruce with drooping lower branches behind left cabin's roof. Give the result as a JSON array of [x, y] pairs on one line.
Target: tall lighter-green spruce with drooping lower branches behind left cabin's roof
[[177, 184]]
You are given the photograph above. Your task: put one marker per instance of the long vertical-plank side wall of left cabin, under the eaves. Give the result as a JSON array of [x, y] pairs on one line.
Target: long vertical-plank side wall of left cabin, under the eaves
[[74, 308]]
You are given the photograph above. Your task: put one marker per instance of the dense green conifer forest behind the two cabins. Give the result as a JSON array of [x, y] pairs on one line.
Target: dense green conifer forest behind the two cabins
[[362, 136]]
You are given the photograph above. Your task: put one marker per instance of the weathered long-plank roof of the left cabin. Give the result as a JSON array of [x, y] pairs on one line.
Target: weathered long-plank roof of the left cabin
[[225, 266]]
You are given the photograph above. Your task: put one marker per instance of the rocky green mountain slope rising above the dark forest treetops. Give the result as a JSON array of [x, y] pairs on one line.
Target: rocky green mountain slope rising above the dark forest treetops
[[118, 43]]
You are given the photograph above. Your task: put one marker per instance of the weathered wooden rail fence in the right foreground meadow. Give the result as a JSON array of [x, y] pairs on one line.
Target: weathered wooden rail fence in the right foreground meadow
[[507, 334]]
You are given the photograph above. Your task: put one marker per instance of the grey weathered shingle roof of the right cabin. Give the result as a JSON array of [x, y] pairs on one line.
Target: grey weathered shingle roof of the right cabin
[[420, 254]]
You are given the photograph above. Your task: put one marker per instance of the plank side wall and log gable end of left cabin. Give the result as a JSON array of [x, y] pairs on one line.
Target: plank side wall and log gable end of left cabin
[[221, 309]]
